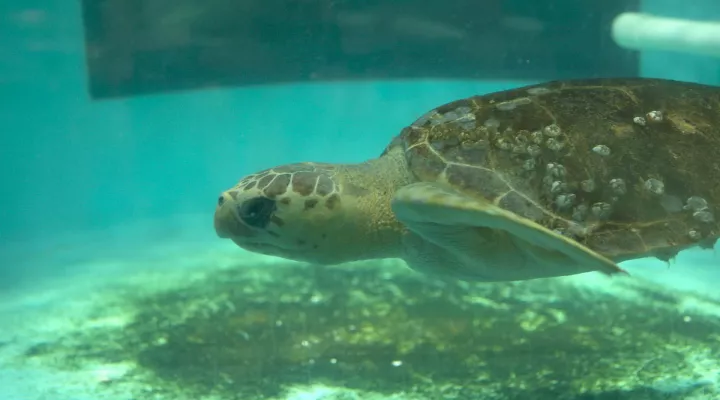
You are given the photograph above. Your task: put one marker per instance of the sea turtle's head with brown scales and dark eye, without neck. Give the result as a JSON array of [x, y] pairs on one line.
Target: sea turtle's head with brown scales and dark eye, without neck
[[291, 211]]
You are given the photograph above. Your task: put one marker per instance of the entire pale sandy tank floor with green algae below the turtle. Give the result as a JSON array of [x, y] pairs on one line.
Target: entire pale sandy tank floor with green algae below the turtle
[[201, 319]]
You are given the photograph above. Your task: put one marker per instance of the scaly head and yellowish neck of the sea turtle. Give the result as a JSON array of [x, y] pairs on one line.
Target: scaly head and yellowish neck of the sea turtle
[[319, 213]]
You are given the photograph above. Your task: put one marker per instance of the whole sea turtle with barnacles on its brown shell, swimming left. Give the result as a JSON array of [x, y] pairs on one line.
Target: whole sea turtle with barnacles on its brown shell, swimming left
[[540, 181]]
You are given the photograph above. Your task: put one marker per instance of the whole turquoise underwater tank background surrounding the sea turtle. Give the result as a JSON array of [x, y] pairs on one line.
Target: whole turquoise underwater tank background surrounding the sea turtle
[[121, 122]]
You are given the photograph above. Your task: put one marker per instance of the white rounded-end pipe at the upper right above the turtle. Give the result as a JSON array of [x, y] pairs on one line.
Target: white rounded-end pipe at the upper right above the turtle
[[638, 31]]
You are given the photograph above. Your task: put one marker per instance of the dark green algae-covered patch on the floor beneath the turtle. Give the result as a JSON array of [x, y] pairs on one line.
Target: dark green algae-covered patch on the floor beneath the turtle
[[377, 330]]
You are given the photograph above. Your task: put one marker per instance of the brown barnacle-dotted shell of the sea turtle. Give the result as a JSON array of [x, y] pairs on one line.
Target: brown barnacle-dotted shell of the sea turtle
[[627, 167]]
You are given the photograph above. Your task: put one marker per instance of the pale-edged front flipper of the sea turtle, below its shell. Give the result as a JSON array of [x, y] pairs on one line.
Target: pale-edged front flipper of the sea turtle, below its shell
[[452, 234]]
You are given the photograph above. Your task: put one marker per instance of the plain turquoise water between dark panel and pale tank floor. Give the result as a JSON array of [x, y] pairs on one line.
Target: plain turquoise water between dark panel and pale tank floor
[[71, 164]]
